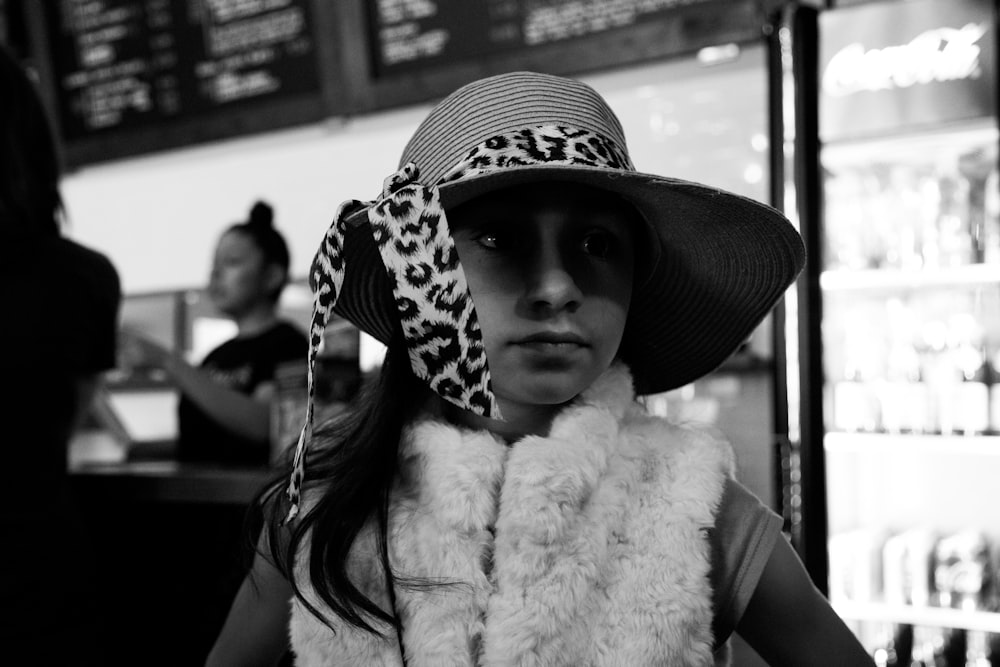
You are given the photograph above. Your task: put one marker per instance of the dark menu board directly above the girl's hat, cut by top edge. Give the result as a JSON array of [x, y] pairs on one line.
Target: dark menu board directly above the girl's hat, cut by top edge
[[408, 34]]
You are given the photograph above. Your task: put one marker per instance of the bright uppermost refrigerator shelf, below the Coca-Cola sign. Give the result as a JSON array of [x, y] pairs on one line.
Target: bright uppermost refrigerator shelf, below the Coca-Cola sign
[[889, 280]]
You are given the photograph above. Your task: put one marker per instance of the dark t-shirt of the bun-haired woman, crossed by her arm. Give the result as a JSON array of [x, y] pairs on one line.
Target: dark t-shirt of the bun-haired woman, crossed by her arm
[[241, 364]]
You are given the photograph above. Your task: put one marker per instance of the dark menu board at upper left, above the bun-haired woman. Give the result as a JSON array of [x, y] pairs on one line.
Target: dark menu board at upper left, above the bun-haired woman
[[124, 64]]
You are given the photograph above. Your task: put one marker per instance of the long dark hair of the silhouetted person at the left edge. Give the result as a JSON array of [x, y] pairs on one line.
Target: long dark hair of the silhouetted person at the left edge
[[30, 204]]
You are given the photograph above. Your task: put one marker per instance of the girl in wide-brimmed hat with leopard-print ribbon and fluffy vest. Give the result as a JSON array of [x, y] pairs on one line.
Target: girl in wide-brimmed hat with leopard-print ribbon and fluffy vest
[[500, 497]]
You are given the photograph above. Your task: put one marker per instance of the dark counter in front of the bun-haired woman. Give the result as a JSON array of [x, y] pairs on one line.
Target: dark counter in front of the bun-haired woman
[[172, 547]]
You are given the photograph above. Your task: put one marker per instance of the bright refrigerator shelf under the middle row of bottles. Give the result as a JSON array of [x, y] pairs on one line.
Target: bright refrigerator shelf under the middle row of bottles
[[908, 443]]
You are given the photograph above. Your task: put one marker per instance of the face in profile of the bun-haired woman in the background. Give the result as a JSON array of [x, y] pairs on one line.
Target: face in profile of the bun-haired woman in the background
[[238, 281]]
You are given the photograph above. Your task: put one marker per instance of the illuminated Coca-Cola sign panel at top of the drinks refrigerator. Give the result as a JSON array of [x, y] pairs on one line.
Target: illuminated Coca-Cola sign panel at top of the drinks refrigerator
[[892, 66]]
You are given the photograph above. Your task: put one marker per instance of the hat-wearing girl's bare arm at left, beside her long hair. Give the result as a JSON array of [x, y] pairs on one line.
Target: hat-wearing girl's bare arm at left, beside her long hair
[[256, 630]]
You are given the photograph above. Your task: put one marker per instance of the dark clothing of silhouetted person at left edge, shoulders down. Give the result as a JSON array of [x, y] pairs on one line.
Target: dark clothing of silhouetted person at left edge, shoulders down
[[60, 304]]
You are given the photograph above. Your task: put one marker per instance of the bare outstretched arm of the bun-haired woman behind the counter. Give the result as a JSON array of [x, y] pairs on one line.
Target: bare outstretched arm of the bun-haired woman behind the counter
[[246, 416]]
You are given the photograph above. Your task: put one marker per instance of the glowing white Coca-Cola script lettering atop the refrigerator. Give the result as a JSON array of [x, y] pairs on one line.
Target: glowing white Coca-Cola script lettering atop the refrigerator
[[942, 54]]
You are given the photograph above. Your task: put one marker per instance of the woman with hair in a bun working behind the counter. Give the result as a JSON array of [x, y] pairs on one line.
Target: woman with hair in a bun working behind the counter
[[224, 413]]
